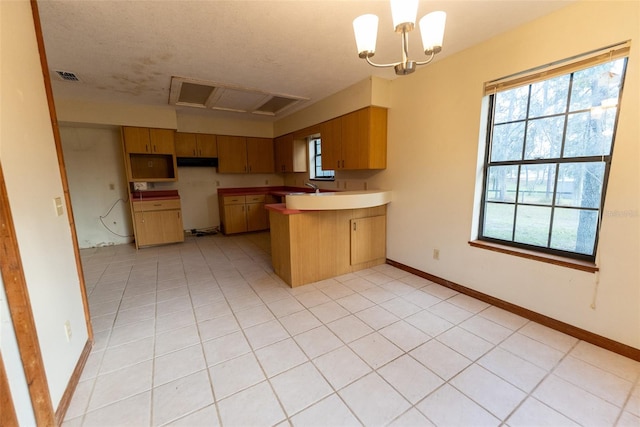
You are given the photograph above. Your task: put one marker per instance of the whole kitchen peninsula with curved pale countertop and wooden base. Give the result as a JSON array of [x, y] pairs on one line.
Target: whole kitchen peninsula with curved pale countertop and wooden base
[[322, 235]]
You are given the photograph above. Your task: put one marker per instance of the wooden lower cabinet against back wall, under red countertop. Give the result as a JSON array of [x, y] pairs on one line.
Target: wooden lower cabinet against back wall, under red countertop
[[239, 214]]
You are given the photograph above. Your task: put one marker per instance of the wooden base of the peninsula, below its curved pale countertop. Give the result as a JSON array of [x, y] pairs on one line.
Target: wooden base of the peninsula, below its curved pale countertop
[[317, 245]]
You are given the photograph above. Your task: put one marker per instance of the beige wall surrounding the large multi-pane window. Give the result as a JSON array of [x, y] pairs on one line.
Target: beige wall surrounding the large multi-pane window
[[432, 169]]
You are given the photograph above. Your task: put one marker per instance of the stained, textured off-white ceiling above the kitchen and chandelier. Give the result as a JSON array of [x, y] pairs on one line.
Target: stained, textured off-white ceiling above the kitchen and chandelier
[[127, 51]]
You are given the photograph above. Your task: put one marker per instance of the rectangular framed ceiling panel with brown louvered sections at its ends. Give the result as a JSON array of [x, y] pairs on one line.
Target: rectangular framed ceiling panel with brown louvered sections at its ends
[[216, 96]]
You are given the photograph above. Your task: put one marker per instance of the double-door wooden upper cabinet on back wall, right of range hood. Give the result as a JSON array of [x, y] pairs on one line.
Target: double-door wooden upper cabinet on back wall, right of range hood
[[239, 154]]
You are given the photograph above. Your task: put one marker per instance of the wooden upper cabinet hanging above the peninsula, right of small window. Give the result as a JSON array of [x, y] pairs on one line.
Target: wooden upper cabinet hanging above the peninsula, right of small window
[[355, 141]]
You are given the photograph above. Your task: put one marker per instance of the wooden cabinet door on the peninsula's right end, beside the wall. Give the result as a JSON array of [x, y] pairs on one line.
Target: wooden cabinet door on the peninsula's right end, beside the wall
[[368, 239]]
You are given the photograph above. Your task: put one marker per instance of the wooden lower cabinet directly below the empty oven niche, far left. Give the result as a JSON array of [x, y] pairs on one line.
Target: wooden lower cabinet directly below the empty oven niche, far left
[[157, 222]]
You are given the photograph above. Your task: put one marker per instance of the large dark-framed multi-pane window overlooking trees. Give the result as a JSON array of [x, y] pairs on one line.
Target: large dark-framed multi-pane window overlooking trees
[[549, 148]]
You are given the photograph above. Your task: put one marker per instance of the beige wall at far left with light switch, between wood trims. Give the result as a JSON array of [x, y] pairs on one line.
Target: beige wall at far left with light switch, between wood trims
[[30, 165]]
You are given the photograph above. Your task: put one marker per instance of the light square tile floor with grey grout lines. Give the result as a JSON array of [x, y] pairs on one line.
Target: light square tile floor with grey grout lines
[[203, 333]]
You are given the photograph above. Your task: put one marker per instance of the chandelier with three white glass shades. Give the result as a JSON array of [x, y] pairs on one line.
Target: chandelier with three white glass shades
[[404, 14]]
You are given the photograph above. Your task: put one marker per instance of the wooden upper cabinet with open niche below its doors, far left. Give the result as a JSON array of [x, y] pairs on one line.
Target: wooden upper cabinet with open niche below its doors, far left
[[149, 154]]
